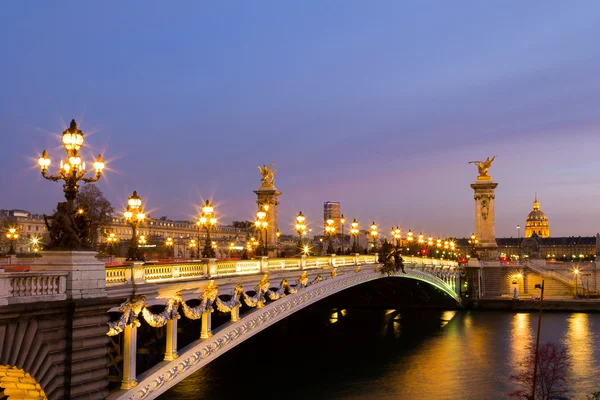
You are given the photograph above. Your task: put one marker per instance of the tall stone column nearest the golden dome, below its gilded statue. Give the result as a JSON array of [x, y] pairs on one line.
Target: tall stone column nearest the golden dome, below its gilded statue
[[485, 224]]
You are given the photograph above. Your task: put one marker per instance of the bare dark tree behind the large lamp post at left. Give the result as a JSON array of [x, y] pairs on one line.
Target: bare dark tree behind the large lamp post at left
[[97, 208]]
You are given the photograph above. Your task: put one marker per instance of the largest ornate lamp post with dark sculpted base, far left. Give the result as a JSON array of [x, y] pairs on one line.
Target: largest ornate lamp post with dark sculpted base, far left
[[64, 233]]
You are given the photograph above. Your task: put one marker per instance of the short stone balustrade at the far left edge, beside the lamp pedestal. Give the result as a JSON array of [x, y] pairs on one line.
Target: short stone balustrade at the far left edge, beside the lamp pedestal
[[31, 287]]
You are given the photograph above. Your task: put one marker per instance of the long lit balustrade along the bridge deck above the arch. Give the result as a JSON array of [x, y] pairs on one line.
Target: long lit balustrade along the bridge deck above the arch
[[139, 273]]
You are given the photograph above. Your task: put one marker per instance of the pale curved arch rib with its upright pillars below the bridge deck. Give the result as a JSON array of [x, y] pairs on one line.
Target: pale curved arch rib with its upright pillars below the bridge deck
[[201, 352]]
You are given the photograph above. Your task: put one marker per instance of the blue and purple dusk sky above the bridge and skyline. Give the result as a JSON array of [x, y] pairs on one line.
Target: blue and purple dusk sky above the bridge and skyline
[[377, 105]]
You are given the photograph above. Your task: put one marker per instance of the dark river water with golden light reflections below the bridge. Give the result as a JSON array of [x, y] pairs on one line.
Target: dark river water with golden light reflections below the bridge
[[388, 354]]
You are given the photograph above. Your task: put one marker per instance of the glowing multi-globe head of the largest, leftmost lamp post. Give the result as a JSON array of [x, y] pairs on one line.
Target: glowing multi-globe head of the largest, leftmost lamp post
[[72, 170]]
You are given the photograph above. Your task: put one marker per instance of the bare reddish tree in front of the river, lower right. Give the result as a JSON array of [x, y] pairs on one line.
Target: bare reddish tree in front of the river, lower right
[[551, 378]]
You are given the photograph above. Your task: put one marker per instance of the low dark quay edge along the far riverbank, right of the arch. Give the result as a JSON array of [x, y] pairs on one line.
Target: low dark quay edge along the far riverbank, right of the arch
[[534, 305]]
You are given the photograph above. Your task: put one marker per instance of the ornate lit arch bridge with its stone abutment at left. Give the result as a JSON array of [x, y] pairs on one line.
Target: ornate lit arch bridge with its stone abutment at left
[[53, 338]]
